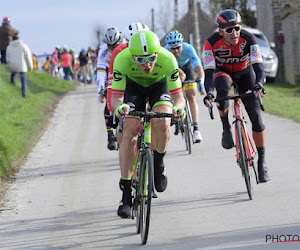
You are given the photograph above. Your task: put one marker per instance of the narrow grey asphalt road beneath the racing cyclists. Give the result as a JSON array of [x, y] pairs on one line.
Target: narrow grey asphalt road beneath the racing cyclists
[[66, 194]]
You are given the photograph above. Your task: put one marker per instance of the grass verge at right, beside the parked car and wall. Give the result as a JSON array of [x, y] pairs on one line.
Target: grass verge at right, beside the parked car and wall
[[283, 99]]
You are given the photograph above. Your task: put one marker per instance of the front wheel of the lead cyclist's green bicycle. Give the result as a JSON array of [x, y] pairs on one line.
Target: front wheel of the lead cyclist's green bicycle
[[145, 194]]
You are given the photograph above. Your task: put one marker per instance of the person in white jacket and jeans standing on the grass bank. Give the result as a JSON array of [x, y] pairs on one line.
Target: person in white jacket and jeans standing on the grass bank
[[20, 61]]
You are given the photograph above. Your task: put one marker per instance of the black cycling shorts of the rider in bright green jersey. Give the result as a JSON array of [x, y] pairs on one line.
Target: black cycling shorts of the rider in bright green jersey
[[136, 95]]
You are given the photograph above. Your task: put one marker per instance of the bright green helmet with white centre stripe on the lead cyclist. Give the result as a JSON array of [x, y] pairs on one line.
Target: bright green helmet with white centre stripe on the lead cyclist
[[144, 43]]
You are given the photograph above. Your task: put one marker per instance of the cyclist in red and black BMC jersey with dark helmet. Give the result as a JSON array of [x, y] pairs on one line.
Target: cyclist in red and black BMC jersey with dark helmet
[[232, 55]]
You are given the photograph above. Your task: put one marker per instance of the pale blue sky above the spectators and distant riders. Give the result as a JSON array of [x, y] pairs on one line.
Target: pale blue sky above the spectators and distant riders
[[45, 24]]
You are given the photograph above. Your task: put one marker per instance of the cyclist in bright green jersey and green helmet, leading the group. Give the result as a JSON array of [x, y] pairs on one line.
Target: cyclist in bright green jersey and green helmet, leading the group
[[145, 70]]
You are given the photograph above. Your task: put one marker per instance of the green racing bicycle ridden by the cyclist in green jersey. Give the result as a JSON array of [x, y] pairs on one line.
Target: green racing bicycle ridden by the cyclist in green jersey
[[142, 180]]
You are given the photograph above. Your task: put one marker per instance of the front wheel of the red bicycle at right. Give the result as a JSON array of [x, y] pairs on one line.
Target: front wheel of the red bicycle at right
[[243, 159]]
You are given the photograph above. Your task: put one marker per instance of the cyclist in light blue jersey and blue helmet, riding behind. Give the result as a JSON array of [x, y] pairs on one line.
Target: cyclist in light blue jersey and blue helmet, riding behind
[[188, 62]]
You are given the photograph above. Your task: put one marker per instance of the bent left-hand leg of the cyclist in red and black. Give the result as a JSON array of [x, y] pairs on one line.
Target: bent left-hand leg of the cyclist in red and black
[[222, 82]]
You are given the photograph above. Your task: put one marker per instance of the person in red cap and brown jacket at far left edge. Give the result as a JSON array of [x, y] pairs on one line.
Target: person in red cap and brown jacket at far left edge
[[6, 34]]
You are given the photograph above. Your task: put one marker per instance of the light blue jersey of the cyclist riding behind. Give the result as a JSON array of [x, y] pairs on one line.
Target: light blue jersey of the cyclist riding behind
[[188, 53]]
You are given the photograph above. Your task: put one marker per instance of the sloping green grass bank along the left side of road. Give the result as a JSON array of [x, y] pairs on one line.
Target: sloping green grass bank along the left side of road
[[22, 120]]
